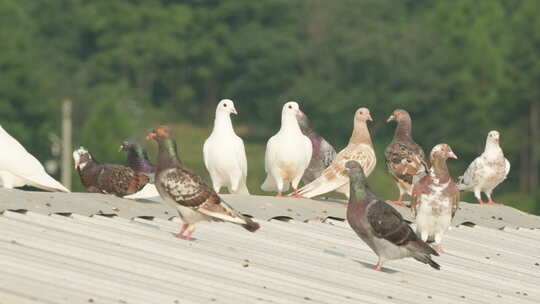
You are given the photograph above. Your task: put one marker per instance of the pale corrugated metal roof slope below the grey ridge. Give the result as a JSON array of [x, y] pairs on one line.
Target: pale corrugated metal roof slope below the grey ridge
[[99, 259]]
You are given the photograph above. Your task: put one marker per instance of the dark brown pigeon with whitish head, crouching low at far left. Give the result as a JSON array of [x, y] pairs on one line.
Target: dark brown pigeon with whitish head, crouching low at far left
[[107, 178]]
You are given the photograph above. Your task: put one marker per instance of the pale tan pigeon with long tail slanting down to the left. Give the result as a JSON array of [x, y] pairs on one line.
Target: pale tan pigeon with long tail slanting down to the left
[[359, 148]]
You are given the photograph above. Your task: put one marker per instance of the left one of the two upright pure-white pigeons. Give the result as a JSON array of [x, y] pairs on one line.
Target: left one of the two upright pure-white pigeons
[[224, 152]]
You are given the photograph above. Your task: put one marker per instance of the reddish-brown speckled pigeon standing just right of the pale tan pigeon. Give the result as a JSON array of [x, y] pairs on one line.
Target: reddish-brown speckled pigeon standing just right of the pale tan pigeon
[[404, 158]]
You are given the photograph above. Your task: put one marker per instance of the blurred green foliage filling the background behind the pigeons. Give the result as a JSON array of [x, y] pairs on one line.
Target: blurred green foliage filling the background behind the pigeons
[[461, 68]]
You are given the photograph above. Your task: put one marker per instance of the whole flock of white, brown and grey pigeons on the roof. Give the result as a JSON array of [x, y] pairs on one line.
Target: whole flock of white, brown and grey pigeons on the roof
[[295, 154]]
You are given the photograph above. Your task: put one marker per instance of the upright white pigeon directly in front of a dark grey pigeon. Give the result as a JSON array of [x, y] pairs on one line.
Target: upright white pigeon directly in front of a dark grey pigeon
[[288, 153]]
